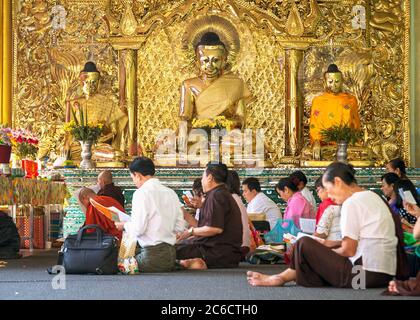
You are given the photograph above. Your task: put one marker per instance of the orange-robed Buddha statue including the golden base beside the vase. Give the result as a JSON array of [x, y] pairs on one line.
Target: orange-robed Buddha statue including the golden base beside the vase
[[331, 108]]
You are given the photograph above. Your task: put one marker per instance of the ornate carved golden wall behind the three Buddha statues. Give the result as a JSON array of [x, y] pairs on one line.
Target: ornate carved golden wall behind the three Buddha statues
[[374, 61]]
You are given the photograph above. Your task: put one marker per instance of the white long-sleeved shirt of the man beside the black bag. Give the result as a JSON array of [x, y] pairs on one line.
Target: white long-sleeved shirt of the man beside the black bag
[[156, 215]]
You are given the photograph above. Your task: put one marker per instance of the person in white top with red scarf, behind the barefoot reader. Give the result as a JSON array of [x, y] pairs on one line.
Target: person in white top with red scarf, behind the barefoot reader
[[328, 223]]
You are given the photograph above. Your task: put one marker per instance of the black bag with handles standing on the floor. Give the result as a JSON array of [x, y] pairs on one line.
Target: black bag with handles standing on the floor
[[95, 253]]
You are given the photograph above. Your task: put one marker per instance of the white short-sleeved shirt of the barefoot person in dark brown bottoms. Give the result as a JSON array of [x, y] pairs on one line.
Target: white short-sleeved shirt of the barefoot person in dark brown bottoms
[[367, 219]]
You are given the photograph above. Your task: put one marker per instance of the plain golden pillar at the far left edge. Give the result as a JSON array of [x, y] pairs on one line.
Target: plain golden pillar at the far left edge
[[6, 62]]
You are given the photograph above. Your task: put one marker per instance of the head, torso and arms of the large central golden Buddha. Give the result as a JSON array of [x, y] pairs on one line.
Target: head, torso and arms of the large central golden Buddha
[[215, 92]]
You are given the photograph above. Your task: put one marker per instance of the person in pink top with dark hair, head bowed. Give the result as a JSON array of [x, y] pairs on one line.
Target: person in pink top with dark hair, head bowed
[[297, 205]]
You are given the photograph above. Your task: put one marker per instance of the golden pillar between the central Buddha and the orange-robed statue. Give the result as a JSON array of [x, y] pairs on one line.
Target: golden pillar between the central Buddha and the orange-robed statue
[[294, 104]]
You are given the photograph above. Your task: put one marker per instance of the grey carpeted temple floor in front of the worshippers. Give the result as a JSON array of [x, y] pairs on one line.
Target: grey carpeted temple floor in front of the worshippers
[[27, 278]]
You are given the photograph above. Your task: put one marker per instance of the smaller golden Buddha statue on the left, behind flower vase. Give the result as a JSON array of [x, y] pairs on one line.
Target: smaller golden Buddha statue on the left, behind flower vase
[[110, 146]]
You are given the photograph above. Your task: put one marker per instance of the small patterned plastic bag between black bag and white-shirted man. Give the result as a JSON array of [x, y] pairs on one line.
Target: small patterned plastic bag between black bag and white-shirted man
[[127, 263]]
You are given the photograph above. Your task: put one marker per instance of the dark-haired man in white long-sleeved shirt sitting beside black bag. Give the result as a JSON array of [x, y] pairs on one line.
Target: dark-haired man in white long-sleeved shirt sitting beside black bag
[[155, 219]]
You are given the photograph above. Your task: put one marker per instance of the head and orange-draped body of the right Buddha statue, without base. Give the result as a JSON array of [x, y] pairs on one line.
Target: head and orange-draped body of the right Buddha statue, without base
[[334, 107]]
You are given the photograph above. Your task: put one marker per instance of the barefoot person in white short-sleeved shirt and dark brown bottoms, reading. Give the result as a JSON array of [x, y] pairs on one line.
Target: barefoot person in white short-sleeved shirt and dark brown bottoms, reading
[[369, 232]]
